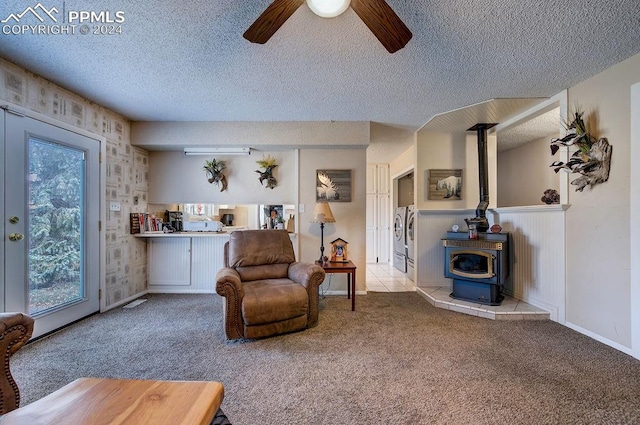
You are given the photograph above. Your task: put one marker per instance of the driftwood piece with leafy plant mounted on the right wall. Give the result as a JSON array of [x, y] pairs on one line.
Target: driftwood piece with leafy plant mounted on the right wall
[[592, 159]]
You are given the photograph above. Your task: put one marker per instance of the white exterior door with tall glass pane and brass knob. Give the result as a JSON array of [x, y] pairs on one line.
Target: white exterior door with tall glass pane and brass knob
[[50, 218]]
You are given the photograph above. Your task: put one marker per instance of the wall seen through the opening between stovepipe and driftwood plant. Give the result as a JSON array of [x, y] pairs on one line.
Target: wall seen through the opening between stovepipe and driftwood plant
[[524, 174]]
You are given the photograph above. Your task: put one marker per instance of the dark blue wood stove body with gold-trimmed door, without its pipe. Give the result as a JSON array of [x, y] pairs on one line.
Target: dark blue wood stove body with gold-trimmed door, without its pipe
[[479, 267]]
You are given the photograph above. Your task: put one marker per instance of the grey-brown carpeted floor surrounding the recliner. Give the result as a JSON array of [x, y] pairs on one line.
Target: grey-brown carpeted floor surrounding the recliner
[[396, 360]]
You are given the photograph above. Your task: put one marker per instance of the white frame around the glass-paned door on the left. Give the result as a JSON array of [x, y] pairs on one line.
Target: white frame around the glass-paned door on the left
[[12, 108]]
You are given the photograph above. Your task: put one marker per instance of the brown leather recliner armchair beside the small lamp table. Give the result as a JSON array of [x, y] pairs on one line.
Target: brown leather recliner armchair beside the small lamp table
[[266, 291]]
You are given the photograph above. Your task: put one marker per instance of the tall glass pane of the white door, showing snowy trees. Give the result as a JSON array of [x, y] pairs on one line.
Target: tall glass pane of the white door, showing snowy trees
[[56, 187]]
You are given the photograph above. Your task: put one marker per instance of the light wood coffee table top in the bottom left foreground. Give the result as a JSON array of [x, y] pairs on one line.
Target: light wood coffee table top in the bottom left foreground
[[98, 401]]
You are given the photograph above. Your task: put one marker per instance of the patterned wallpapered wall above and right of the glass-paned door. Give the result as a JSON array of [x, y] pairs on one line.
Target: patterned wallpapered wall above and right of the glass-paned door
[[126, 170]]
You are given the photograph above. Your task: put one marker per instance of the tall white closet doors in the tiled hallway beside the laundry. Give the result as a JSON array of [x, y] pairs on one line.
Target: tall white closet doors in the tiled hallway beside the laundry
[[378, 229]]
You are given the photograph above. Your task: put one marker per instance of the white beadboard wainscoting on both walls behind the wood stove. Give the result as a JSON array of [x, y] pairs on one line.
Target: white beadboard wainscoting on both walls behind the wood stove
[[537, 250]]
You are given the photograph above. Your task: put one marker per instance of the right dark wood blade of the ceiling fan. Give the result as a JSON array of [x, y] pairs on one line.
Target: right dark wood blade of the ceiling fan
[[383, 23]]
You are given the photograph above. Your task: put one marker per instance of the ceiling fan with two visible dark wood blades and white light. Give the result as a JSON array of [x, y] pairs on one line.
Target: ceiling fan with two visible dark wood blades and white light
[[376, 14]]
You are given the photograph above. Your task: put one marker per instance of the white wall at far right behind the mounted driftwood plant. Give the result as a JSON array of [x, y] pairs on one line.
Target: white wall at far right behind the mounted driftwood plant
[[598, 222]]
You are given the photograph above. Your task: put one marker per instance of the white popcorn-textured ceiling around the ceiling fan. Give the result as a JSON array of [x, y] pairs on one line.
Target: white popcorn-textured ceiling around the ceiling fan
[[188, 61]]
